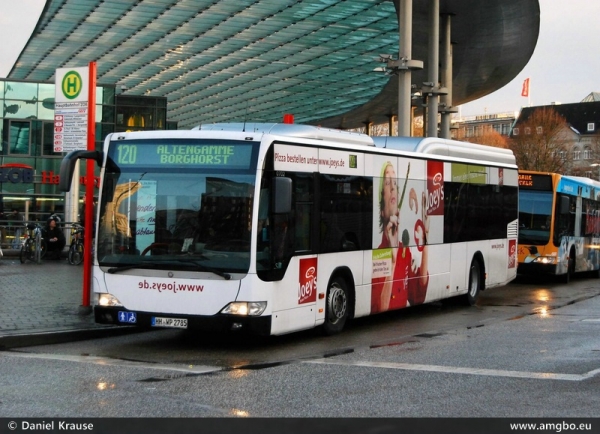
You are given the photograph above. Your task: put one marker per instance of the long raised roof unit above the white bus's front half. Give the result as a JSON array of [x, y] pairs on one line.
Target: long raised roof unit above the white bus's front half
[[293, 130]]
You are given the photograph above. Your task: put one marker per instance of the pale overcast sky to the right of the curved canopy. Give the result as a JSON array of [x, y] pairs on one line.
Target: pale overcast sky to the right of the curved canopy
[[564, 64]]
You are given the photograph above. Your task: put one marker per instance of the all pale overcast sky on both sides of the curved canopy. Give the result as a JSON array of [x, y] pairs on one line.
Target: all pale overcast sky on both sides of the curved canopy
[[562, 69]]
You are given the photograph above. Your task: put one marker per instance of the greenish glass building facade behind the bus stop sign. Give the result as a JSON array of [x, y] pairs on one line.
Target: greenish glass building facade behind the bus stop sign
[[29, 167]]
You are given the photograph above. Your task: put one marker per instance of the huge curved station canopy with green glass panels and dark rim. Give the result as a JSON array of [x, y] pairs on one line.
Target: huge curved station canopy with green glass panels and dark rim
[[236, 60]]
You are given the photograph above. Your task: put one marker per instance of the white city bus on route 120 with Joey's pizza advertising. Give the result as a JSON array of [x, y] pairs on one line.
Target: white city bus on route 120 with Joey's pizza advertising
[[274, 228]]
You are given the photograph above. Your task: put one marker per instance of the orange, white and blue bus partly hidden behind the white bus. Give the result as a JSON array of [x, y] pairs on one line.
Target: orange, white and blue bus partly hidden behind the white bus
[[559, 224]]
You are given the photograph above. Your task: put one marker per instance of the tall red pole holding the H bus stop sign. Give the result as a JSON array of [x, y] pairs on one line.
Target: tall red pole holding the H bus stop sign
[[89, 188]]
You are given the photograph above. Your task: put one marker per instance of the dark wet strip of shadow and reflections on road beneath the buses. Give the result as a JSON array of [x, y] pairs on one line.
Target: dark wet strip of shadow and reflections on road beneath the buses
[[236, 353]]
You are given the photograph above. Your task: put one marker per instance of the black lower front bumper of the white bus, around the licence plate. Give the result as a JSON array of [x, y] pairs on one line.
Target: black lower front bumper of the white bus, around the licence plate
[[260, 325]]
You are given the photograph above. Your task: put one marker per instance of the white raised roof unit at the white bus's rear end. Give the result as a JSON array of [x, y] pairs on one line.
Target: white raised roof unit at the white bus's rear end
[[450, 148]]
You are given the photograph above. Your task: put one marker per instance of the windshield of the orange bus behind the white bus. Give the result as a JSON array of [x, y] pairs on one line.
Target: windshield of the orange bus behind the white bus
[[535, 215]]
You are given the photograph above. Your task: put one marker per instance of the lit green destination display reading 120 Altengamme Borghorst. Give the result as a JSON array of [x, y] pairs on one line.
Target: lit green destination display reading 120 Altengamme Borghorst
[[186, 154]]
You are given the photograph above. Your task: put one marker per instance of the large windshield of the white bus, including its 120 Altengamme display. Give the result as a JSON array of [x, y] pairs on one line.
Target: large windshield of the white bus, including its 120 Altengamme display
[[190, 210]]
